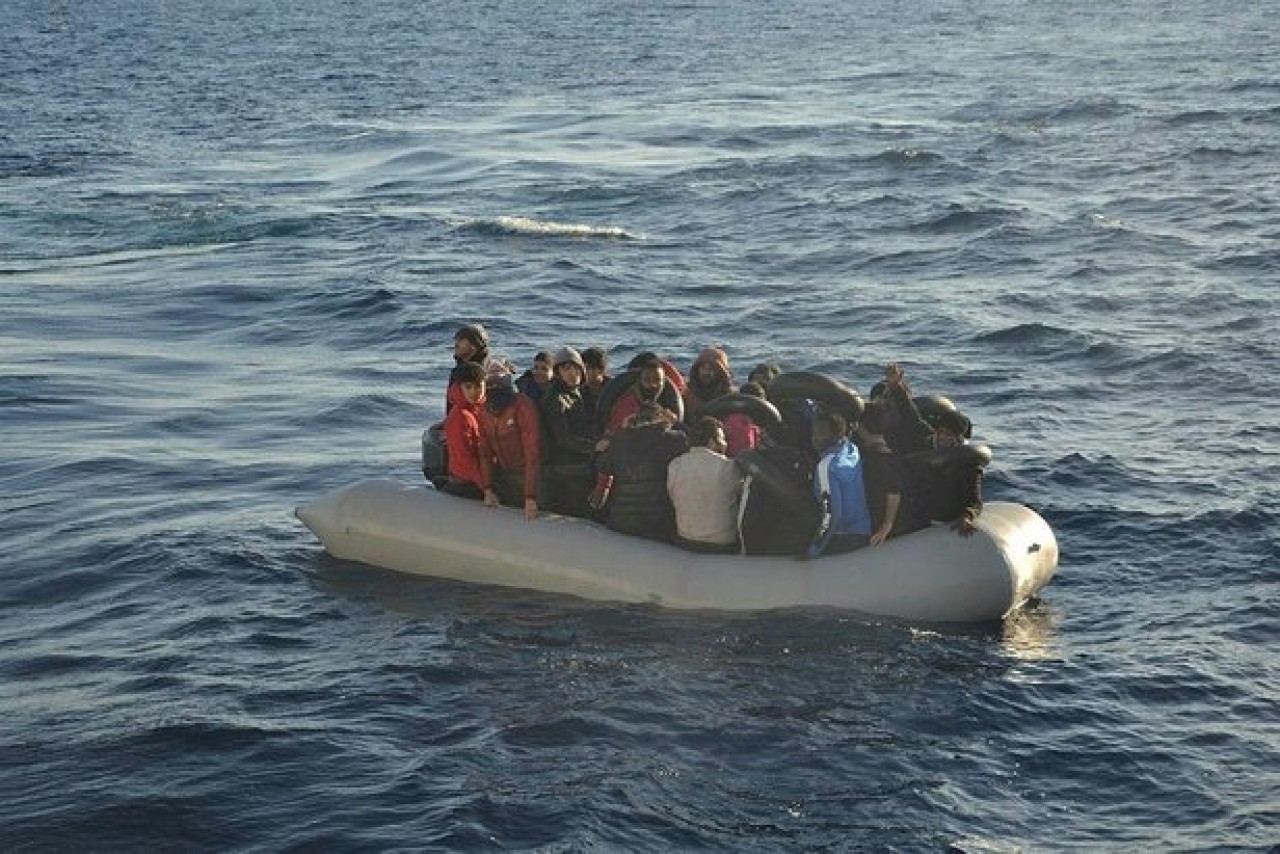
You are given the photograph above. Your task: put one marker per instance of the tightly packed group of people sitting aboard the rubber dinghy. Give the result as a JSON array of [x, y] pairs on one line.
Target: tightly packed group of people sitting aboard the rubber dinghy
[[784, 464]]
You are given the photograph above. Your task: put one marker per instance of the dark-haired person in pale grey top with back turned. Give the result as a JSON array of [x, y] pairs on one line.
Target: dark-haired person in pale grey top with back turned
[[706, 491]]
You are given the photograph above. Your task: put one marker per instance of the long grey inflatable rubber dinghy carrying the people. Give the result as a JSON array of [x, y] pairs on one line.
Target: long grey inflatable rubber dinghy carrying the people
[[929, 577]]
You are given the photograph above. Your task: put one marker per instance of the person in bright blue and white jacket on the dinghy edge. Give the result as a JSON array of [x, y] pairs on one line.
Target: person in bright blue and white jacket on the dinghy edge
[[838, 485]]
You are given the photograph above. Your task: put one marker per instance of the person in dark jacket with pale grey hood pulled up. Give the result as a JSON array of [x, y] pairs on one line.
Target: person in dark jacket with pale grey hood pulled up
[[569, 439]]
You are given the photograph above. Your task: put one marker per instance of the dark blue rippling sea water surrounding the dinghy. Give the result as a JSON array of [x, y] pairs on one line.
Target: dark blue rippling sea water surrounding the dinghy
[[236, 239]]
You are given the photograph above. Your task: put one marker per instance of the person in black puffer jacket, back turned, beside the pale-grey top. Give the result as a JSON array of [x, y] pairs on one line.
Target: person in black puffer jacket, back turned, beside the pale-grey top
[[636, 465]]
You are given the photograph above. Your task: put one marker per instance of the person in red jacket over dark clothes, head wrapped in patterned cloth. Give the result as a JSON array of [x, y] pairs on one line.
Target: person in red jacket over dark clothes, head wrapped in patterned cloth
[[510, 445]]
